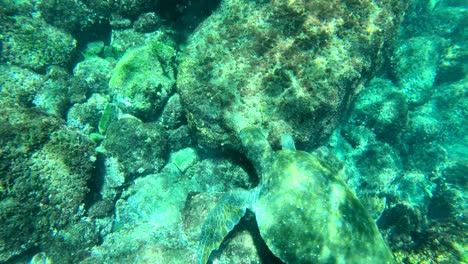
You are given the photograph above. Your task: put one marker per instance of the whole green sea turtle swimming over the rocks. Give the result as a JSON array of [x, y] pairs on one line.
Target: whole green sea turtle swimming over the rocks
[[305, 213]]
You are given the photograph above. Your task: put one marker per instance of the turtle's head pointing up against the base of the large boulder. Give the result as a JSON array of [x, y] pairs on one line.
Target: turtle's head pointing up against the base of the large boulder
[[256, 147]]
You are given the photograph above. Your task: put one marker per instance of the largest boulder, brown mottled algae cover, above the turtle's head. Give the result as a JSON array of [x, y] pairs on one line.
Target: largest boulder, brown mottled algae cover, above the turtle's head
[[289, 66]]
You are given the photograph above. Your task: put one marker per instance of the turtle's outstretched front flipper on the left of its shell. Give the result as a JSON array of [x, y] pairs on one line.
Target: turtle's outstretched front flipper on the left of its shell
[[221, 220]]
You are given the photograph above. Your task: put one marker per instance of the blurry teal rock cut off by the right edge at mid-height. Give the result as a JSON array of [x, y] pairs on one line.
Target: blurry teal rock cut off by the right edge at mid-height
[[437, 129]]
